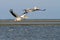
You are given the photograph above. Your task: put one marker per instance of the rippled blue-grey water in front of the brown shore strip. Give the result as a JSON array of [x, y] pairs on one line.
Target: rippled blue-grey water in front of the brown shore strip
[[30, 32]]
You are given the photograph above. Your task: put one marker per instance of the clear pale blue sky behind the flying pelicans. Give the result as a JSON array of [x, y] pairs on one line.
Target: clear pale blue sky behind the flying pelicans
[[52, 8]]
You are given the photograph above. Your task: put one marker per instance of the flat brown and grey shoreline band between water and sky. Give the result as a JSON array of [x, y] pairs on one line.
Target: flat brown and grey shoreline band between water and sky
[[31, 22]]
